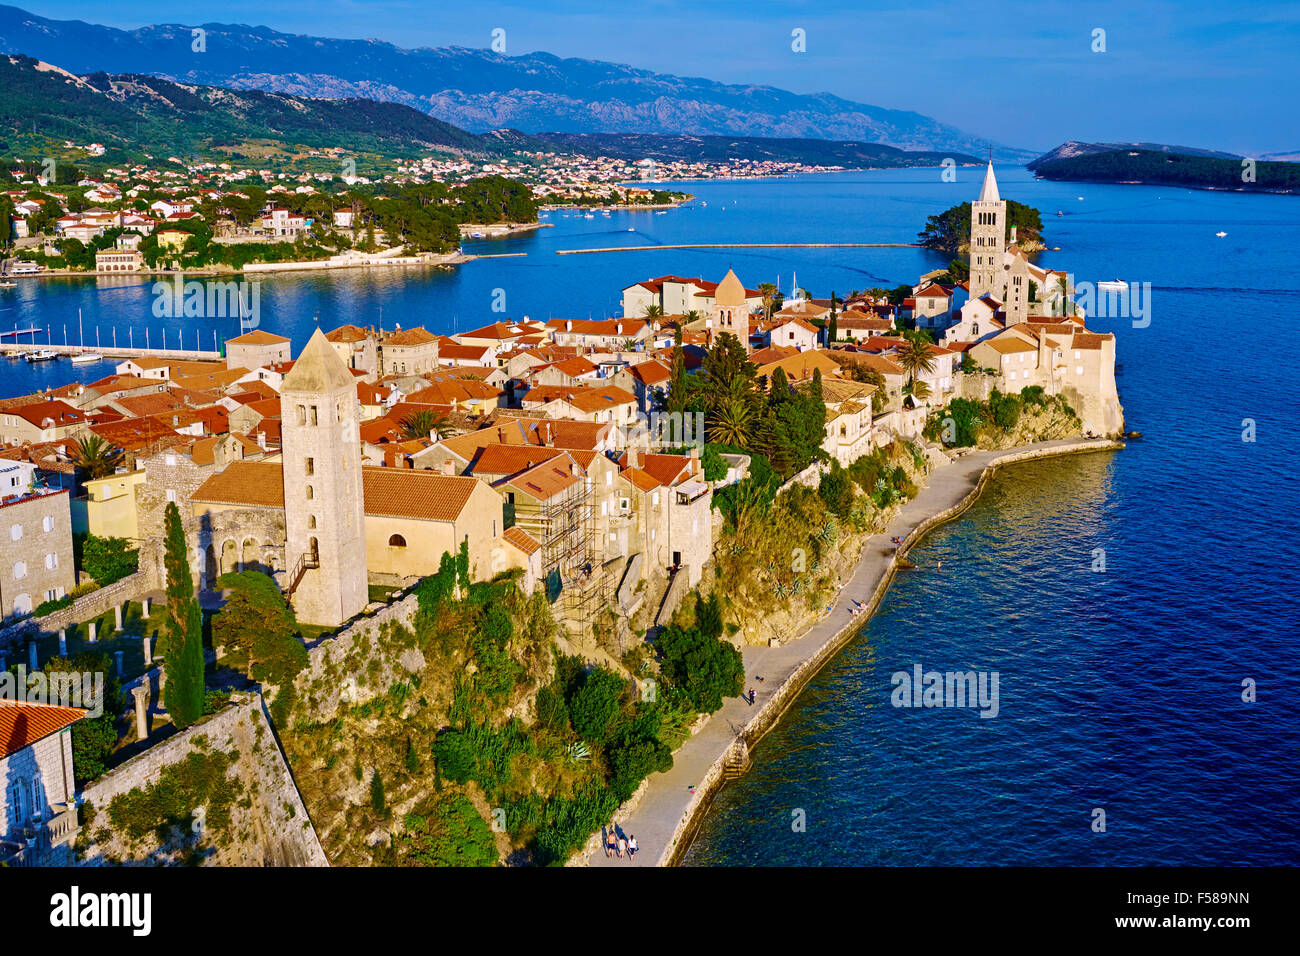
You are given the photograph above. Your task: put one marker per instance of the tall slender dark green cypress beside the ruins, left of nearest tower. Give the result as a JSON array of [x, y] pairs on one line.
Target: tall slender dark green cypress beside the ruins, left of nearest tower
[[184, 665]]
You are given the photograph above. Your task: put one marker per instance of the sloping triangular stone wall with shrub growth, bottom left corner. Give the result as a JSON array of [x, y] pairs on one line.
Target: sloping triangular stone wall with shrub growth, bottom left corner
[[274, 830]]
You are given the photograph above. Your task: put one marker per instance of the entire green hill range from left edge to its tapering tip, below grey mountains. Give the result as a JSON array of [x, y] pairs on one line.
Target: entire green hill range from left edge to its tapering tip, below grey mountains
[[132, 115]]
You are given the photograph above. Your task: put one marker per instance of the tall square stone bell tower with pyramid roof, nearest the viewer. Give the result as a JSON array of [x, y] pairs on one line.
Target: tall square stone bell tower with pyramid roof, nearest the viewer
[[324, 505]]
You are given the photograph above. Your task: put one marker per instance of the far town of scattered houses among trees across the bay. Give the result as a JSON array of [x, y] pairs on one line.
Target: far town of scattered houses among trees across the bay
[[145, 217]]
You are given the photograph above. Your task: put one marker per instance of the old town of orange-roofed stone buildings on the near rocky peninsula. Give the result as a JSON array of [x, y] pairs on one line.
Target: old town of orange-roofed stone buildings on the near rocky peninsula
[[592, 475]]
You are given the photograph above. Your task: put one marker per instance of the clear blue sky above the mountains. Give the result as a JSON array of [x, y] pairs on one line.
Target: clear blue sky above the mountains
[[1195, 73]]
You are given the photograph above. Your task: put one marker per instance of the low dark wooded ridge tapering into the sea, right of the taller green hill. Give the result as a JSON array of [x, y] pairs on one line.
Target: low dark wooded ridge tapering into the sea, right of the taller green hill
[[852, 155]]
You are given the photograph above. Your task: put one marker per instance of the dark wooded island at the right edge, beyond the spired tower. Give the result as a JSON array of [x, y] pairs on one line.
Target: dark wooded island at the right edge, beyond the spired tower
[[1167, 167]]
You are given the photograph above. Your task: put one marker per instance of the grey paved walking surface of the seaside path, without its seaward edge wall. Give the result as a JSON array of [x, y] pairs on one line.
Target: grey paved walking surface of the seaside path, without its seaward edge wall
[[669, 798]]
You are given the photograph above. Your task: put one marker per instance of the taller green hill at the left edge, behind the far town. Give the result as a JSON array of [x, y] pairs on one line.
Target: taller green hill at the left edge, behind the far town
[[135, 115]]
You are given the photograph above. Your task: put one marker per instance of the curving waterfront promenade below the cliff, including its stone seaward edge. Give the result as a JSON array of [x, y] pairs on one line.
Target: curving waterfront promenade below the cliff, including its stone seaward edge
[[669, 810]]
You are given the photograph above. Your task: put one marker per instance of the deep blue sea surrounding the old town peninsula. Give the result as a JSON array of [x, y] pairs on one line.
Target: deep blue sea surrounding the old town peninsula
[[1120, 689]]
